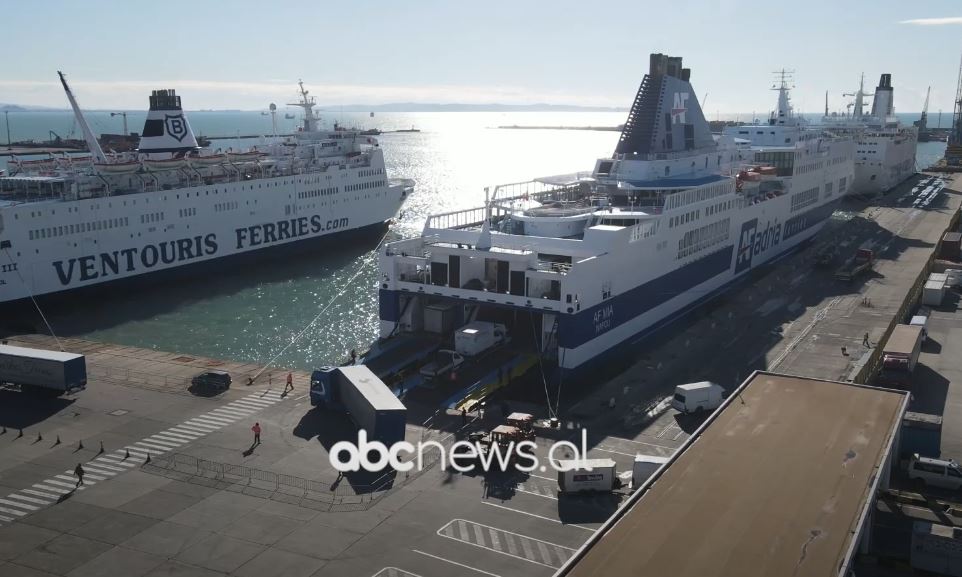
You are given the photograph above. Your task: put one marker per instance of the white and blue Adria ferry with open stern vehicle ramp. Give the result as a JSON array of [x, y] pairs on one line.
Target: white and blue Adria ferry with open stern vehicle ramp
[[576, 267]]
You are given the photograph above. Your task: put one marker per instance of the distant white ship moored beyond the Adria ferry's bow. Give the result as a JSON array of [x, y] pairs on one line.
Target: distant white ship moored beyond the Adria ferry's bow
[[884, 148]]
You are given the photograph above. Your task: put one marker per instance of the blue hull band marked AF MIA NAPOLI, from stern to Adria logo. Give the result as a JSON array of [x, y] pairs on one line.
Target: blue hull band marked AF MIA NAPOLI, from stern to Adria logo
[[577, 329]]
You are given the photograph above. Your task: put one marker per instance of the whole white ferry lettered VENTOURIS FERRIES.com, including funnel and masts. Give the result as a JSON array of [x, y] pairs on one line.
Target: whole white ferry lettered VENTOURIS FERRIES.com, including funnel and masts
[[70, 222]]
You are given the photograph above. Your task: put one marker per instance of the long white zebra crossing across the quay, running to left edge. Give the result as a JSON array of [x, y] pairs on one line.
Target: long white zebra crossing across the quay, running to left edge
[[106, 466]]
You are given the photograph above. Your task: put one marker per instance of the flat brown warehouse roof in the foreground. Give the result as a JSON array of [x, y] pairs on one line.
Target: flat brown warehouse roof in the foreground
[[776, 482]]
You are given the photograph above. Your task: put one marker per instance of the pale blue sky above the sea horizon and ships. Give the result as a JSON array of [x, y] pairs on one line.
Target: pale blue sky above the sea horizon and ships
[[245, 54]]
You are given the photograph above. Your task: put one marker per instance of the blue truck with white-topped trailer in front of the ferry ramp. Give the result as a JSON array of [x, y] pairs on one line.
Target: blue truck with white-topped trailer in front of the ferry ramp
[[364, 397]]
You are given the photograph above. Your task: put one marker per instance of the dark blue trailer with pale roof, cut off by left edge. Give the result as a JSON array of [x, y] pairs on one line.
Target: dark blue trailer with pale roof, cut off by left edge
[[42, 372]]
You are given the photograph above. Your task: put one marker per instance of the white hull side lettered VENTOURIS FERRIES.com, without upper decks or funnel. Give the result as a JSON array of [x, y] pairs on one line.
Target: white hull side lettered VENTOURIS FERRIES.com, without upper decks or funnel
[[63, 245]]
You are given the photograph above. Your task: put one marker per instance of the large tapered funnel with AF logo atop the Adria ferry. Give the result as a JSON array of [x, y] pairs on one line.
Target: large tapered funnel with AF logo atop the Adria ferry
[[665, 116]]
